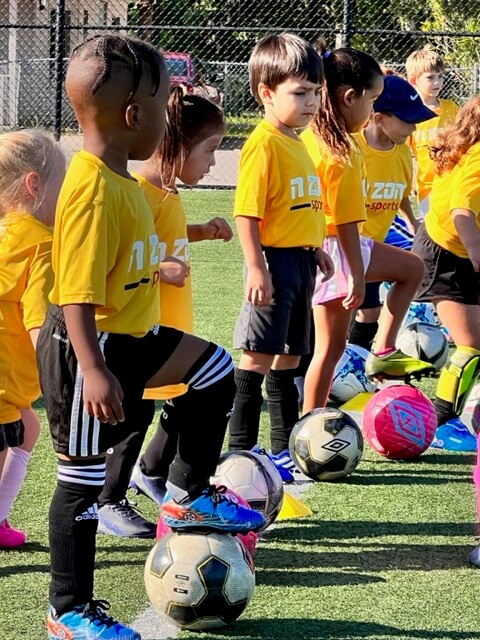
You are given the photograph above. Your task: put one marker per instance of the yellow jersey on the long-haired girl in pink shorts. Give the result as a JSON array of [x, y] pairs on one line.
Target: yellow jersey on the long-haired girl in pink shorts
[[342, 185]]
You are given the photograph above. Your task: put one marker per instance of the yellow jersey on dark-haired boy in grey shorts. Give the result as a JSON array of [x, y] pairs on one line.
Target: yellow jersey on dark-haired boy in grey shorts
[[278, 185]]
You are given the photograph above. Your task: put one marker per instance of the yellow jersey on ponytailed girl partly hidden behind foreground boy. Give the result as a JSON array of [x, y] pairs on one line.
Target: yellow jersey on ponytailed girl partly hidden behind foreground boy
[[176, 303]]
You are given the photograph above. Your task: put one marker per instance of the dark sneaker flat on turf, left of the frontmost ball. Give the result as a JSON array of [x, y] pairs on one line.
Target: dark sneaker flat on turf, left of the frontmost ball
[[123, 520]]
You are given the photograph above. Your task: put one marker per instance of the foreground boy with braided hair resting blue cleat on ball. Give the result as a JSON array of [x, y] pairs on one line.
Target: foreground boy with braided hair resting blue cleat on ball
[[101, 344]]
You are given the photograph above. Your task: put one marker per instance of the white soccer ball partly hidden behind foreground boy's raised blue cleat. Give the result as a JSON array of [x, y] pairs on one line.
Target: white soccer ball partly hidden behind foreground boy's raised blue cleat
[[255, 478]]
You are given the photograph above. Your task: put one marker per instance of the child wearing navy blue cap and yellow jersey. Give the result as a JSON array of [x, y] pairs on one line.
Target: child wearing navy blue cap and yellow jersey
[[389, 172]]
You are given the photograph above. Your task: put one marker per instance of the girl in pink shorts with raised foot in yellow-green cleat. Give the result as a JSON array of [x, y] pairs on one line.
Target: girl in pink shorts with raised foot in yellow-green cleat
[[354, 81]]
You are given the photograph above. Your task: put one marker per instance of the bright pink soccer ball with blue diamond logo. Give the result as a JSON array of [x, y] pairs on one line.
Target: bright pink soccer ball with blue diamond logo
[[399, 422]]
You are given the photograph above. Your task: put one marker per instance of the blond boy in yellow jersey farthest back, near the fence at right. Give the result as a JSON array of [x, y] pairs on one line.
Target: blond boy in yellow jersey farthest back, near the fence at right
[[425, 70]]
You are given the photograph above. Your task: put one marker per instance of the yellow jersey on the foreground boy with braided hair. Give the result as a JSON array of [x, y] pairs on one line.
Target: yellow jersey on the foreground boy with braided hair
[[105, 248]]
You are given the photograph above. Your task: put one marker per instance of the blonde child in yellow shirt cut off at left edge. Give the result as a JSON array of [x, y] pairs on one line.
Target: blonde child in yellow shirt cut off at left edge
[[32, 168]]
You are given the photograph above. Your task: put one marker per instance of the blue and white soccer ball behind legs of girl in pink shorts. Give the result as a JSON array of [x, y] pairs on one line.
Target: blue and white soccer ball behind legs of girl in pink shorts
[[350, 378]]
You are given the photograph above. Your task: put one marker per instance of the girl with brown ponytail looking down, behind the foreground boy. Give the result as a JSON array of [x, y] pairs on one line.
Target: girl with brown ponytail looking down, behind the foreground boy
[[195, 129]]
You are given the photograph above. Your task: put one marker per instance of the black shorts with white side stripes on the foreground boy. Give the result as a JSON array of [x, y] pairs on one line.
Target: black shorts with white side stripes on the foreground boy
[[133, 361]]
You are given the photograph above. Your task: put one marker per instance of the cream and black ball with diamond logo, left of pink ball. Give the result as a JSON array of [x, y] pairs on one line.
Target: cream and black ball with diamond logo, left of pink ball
[[326, 444]]
